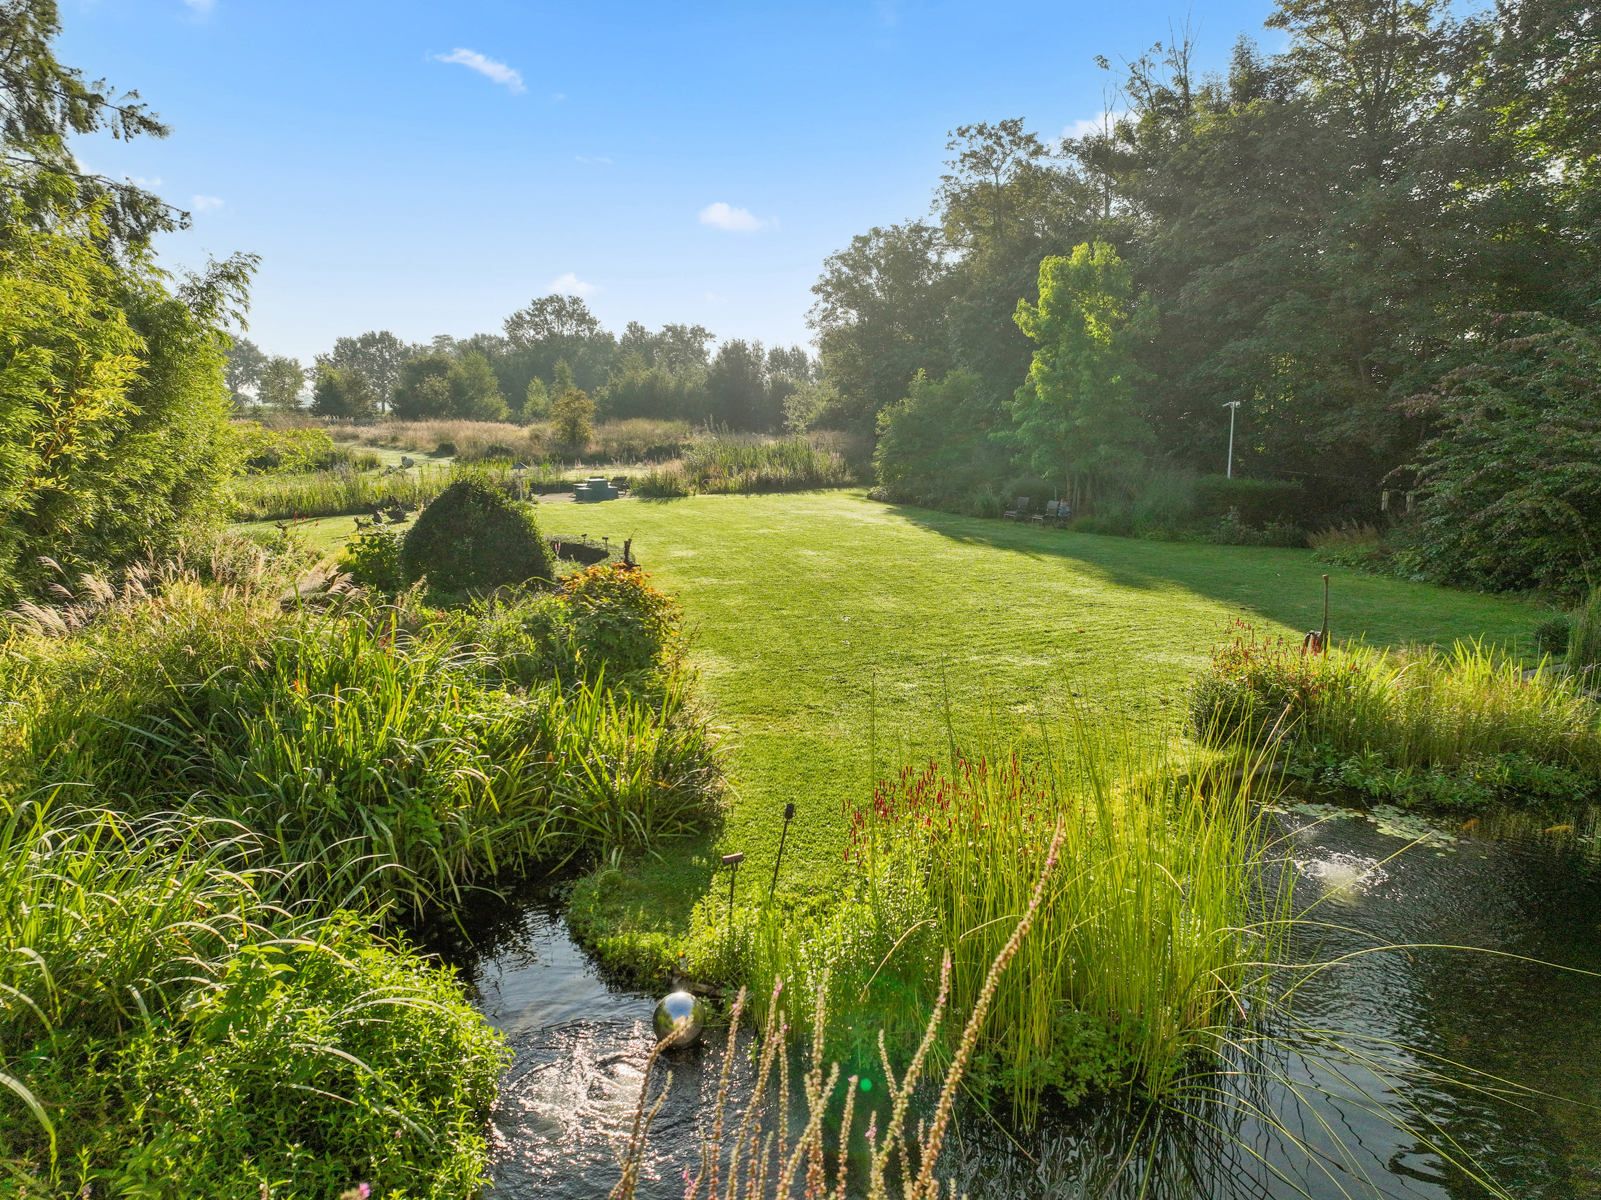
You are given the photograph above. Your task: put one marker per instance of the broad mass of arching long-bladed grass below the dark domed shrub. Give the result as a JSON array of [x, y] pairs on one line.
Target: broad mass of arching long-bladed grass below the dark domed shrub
[[383, 751]]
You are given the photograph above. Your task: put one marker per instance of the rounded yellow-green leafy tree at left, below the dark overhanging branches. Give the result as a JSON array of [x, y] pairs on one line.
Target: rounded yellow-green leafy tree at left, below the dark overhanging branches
[[113, 414]]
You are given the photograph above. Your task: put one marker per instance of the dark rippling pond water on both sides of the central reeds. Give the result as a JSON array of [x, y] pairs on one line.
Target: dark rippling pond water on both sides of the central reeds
[[1347, 1102]]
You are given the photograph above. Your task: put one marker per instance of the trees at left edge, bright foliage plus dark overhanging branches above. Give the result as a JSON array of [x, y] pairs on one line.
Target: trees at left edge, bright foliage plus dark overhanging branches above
[[113, 418]]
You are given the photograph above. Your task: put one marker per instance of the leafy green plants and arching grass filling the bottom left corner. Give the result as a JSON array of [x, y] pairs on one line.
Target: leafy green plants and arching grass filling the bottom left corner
[[167, 1030]]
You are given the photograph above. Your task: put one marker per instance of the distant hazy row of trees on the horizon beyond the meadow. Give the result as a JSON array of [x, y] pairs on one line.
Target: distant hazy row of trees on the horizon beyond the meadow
[[545, 351]]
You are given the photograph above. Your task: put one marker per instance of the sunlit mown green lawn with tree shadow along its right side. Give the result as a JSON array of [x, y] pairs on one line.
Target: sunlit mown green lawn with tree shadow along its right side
[[833, 633]]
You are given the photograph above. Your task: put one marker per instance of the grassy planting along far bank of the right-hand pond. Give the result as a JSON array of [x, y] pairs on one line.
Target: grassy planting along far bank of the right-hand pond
[[1455, 730]]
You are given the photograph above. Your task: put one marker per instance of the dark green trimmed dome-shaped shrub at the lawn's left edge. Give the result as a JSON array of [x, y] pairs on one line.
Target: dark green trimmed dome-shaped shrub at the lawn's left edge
[[473, 540]]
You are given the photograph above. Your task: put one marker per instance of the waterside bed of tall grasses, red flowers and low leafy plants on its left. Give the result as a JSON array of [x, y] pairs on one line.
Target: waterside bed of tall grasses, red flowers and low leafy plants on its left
[[1150, 943]]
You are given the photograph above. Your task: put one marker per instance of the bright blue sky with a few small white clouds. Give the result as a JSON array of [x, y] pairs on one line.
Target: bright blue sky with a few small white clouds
[[431, 167]]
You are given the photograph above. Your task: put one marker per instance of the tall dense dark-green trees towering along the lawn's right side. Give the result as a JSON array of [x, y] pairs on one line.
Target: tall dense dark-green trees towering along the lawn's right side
[[1333, 236]]
